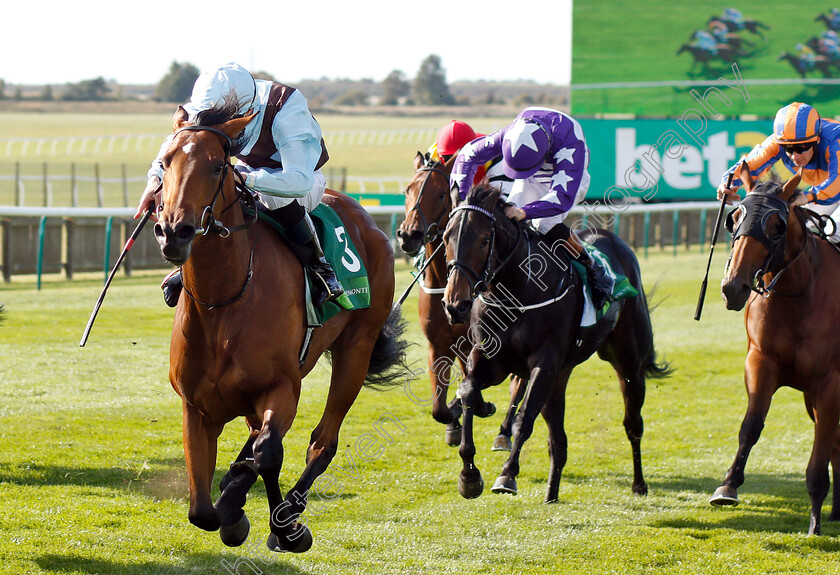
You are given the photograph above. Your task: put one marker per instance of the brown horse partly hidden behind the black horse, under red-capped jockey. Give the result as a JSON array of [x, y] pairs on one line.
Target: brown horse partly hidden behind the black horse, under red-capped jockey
[[427, 207]]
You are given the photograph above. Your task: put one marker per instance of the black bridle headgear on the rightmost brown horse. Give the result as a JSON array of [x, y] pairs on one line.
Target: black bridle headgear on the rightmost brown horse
[[753, 224]]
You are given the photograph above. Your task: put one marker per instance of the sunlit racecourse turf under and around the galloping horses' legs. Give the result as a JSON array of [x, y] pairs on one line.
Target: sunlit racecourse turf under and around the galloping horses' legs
[[92, 477]]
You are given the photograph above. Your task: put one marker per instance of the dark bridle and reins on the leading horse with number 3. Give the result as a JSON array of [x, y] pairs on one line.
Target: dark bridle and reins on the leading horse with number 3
[[208, 223]]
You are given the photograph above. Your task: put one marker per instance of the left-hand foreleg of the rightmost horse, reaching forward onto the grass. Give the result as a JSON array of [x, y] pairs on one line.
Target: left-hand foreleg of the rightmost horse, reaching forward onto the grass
[[761, 383]]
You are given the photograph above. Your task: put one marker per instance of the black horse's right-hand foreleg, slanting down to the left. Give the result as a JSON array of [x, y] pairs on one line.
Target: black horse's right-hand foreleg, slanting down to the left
[[542, 383]]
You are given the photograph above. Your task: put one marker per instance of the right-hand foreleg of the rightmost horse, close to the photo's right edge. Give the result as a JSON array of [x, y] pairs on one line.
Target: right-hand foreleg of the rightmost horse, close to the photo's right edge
[[826, 413]]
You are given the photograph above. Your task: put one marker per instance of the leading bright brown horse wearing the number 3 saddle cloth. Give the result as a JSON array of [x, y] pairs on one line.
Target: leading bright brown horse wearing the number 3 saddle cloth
[[239, 329]]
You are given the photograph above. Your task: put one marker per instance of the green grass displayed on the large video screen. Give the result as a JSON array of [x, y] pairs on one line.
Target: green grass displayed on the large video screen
[[629, 41]]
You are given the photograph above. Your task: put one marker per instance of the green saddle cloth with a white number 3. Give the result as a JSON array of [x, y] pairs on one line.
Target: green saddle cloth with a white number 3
[[345, 260]]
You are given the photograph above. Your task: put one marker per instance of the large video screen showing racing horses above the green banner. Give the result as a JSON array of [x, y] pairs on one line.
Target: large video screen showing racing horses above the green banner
[[658, 58]]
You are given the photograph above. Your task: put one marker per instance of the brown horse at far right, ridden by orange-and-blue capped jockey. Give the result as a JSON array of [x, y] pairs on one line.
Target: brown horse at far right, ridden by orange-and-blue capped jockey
[[791, 329]]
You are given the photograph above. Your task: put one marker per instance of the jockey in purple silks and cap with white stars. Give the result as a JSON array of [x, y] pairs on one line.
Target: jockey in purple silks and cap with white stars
[[545, 152]]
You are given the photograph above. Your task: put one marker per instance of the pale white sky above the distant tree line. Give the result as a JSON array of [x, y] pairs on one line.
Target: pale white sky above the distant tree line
[[56, 42]]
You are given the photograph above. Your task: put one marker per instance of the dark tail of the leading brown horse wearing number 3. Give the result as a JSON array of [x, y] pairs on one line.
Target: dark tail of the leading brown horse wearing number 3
[[388, 365]]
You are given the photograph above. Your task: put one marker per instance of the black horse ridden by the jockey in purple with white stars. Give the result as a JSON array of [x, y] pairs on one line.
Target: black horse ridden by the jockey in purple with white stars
[[528, 317]]
